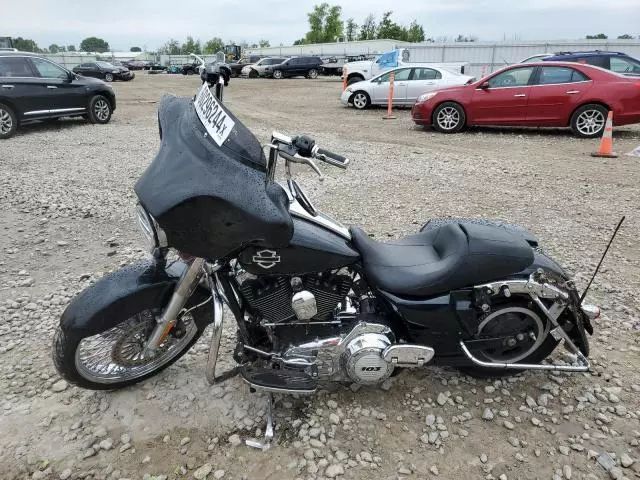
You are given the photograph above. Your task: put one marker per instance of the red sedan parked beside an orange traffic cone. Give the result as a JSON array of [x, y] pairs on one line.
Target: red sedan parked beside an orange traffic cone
[[546, 94]]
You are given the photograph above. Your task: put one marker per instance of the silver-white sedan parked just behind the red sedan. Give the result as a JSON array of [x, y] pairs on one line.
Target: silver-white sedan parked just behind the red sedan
[[408, 85]]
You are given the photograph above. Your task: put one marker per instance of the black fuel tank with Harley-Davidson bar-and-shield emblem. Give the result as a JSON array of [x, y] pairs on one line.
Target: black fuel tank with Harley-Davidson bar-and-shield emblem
[[311, 249]]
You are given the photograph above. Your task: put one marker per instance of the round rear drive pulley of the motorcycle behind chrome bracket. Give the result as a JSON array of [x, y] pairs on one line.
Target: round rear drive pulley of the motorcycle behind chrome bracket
[[521, 329]]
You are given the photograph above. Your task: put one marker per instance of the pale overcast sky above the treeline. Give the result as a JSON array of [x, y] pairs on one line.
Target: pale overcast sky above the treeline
[[150, 23]]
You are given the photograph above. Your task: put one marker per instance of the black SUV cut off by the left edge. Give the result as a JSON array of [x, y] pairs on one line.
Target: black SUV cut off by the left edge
[[34, 88]]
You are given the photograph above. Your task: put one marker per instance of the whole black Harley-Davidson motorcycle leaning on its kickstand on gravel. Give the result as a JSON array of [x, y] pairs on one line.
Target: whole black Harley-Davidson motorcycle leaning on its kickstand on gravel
[[313, 301]]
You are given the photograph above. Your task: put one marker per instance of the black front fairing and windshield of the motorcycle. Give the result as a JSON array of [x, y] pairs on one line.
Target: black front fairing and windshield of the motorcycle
[[211, 199]]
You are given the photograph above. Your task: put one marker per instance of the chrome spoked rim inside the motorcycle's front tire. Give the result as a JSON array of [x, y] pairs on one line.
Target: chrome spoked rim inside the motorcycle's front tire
[[118, 354]]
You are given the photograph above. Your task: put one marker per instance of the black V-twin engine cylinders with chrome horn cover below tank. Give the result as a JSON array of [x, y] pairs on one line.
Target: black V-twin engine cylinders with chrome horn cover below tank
[[305, 298]]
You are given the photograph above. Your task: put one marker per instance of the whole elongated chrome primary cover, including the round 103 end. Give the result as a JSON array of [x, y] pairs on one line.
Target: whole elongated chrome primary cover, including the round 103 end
[[356, 355]]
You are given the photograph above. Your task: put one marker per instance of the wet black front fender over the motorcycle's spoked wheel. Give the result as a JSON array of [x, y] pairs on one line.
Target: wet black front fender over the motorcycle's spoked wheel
[[119, 295]]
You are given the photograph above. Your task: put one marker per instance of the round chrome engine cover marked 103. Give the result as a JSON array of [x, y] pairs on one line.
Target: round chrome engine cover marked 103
[[363, 358]]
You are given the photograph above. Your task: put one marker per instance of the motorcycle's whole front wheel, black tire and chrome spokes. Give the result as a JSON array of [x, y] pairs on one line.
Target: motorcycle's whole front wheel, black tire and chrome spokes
[[115, 358]]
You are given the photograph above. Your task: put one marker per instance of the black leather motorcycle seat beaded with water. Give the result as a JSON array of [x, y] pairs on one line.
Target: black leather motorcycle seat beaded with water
[[448, 257]]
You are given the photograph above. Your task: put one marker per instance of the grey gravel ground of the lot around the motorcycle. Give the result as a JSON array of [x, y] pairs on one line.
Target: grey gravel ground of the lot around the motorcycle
[[67, 218]]
